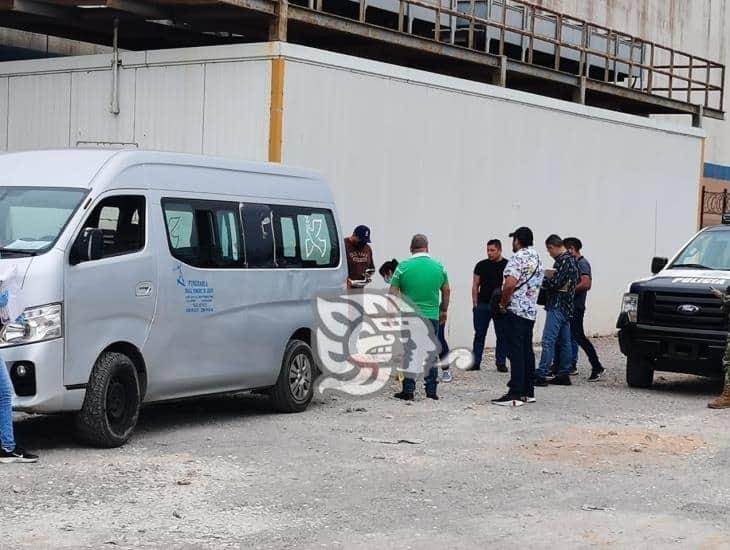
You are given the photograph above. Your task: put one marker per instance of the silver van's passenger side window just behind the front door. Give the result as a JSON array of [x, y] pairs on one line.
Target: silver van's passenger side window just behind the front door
[[204, 233]]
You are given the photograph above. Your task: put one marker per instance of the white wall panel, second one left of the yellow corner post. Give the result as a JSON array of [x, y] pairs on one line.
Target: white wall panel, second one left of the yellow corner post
[[169, 112]]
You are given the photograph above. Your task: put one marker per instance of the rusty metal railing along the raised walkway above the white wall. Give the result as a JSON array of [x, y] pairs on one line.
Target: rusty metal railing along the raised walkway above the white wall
[[540, 36]]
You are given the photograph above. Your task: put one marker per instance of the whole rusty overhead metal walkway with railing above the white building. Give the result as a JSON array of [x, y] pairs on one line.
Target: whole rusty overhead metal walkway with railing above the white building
[[505, 42]]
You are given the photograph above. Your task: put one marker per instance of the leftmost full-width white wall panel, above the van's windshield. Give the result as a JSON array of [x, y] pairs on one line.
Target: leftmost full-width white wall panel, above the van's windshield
[[39, 111]]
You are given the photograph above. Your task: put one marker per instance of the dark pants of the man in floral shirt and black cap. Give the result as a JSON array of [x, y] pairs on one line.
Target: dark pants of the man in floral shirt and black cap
[[521, 355]]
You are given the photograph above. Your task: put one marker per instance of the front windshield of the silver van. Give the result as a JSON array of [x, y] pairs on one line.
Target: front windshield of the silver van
[[32, 218]]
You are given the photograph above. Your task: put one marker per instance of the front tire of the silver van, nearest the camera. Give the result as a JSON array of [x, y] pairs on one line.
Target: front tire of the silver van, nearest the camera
[[112, 402]]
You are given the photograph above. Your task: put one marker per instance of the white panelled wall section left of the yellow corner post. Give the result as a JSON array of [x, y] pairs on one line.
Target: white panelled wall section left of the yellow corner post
[[203, 100]]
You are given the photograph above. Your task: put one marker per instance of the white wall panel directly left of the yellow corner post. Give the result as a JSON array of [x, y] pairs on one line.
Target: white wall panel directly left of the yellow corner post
[[237, 97]]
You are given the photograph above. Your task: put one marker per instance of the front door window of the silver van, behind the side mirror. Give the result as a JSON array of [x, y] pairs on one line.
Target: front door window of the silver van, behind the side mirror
[[122, 220]]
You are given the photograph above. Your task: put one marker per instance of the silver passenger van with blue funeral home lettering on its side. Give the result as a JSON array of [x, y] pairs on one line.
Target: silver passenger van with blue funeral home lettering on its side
[[152, 276]]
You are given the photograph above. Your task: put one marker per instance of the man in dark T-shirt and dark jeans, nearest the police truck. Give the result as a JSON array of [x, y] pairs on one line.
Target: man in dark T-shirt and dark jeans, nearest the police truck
[[574, 246]]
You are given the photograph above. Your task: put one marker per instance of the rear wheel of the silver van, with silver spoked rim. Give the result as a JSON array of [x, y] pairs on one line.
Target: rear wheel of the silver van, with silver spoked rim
[[295, 387]]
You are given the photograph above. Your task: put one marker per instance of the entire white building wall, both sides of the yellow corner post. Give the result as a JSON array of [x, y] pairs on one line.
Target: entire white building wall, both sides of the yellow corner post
[[405, 151]]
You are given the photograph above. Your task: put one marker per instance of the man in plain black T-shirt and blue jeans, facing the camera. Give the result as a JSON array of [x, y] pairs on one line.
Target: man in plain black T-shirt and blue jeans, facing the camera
[[488, 277]]
